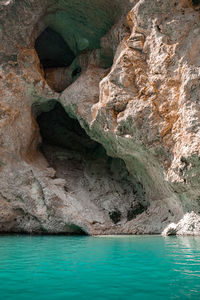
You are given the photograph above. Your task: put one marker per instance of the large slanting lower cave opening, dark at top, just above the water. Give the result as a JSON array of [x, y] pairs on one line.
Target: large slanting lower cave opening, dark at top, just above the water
[[92, 177]]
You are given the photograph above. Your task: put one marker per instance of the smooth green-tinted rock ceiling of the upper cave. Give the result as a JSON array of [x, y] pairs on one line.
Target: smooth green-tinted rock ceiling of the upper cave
[[80, 24]]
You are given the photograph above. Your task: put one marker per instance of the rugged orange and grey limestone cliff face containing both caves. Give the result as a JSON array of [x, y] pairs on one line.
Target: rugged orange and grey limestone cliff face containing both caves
[[99, 115]]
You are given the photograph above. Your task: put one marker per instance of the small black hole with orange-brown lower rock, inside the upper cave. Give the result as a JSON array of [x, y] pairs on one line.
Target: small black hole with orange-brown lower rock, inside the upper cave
[[56, 59]]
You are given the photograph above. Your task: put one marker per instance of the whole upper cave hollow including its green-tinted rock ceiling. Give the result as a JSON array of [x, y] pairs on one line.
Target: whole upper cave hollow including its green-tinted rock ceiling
[[72, 39]]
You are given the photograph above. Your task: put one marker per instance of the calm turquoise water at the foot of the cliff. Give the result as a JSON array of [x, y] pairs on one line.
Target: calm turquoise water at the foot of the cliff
[[131, 267]]
